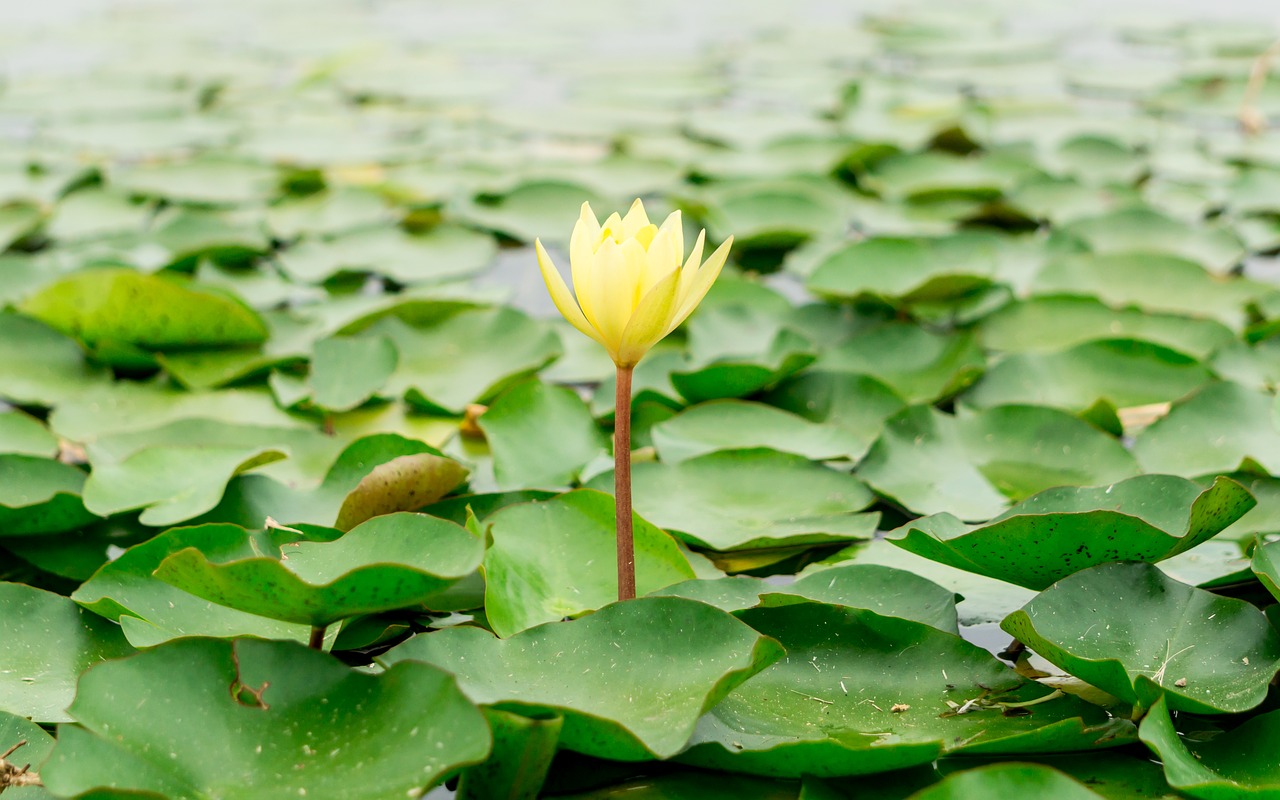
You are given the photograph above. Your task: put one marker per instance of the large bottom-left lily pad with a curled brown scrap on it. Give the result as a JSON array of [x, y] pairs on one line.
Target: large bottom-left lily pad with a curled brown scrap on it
[[292, 708]]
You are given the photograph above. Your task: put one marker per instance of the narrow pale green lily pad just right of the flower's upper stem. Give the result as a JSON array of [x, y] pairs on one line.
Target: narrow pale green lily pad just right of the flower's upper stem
[[723, 426]]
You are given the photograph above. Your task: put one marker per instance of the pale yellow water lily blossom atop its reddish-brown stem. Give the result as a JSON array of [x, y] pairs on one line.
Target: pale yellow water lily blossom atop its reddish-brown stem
[[633, 282]]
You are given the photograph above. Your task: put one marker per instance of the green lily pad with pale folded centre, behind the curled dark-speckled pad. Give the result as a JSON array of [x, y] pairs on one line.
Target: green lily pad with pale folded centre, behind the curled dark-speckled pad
[[973, 464]]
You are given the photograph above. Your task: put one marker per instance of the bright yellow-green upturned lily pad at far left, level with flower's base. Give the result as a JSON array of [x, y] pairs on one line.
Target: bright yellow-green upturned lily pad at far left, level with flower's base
[[149, 312]]
